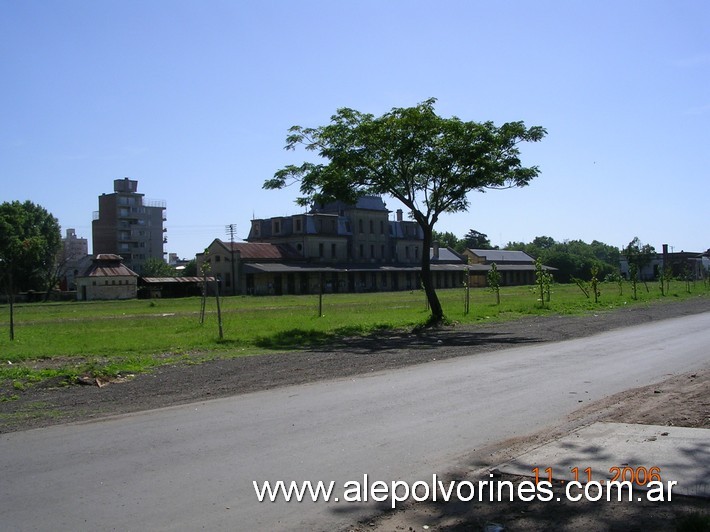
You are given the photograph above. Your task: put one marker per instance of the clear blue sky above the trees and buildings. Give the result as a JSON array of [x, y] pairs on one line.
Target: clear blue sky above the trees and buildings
[[194, 98]]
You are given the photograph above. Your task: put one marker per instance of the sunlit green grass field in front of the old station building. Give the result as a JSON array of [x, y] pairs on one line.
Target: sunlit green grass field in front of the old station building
[[66, 340]]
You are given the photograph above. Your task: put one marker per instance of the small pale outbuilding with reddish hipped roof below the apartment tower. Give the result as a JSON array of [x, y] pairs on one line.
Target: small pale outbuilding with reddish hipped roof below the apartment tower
[[107, 278]]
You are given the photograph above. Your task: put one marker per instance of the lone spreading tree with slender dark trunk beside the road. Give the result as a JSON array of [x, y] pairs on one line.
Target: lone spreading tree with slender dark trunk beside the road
[[427, 162]]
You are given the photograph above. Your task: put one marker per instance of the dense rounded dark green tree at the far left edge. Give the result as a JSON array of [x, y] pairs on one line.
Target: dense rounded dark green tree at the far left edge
[[29, 241]]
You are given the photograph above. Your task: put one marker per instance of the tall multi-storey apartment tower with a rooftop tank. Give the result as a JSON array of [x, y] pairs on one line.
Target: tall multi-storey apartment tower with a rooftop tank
[[126, 224]]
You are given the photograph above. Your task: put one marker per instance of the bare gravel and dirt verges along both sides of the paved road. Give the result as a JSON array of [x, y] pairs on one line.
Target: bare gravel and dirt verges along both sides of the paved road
[[682, 400]]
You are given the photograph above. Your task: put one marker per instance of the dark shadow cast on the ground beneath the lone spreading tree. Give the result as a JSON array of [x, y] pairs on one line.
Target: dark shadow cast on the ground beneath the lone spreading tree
[[356, 340]]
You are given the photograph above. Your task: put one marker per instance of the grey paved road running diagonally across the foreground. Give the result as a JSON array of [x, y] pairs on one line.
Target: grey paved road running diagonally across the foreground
[[191, 467]]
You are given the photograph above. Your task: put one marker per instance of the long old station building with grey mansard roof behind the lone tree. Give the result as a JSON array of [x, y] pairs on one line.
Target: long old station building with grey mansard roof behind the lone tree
[[334, 248]]
